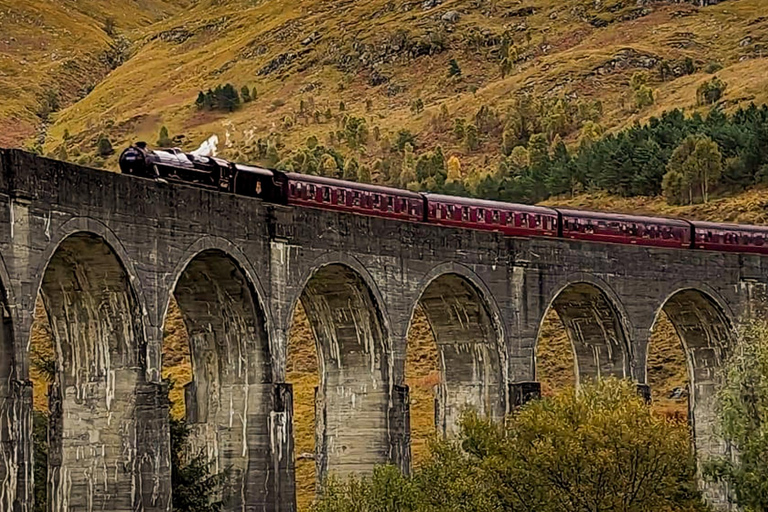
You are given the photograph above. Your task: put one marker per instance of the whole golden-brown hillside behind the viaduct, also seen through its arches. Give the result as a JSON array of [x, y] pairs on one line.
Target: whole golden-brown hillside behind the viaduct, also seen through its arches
[[357, 76]]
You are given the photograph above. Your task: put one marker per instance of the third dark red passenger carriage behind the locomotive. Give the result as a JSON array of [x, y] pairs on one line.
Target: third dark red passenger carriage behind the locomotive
[[625, 229]]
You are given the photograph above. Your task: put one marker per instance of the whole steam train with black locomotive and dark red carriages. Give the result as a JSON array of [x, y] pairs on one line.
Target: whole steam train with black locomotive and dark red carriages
[[507, 218]]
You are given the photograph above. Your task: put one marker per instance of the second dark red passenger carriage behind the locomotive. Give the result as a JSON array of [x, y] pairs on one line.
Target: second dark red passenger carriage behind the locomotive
[[508, 218]]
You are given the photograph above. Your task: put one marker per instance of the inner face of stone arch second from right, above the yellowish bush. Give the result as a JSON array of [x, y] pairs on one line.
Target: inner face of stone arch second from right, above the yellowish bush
[[595, 325]]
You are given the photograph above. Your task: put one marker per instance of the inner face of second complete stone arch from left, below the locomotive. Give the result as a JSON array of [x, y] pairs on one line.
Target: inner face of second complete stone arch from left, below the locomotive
[[231, 395]]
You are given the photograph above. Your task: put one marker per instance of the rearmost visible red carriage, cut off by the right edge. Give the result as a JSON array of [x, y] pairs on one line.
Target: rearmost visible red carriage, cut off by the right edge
[[712, 236]]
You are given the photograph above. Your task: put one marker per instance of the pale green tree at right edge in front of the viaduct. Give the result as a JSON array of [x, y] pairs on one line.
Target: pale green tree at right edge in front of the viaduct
[[743, 420]]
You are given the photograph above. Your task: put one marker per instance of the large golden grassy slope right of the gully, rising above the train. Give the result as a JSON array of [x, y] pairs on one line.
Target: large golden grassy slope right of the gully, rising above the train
[[232, 42]]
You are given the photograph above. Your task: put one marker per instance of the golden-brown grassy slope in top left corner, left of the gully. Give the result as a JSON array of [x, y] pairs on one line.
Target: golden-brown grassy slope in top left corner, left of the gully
[[58, 46]]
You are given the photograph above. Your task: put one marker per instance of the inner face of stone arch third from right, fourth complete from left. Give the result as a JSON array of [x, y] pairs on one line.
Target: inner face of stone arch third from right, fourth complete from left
[[466, 325]]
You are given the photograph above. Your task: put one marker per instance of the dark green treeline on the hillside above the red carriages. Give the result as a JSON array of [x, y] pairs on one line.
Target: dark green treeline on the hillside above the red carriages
[[635, 161]]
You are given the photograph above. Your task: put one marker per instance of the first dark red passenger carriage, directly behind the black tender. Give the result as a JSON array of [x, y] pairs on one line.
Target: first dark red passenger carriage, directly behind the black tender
[[332, 194]]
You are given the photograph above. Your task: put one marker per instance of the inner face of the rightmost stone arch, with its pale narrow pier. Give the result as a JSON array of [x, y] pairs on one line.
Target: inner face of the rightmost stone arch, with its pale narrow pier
[[703, 323]]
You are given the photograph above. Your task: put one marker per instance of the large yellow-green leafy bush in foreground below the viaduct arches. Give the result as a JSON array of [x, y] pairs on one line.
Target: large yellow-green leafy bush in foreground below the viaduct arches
[[601, 449]]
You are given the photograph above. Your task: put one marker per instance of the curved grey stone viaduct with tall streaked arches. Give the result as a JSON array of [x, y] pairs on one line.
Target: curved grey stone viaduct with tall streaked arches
[[106, 252]]
